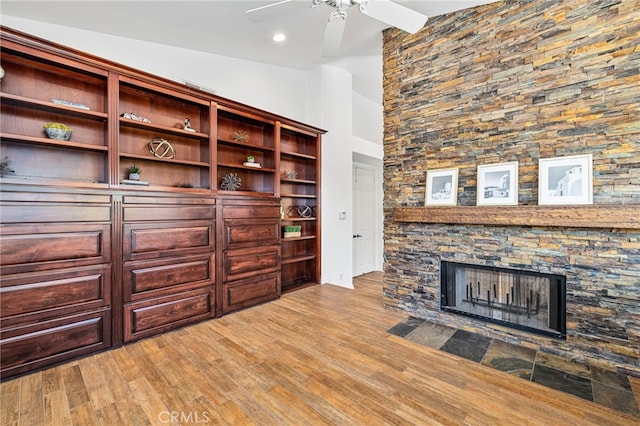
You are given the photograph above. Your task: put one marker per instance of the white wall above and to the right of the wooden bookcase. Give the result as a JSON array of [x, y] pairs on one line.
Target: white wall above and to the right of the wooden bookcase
[[322, 97]]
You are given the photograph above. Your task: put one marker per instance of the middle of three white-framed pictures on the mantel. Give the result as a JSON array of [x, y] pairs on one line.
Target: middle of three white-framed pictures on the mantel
[[497, 184]]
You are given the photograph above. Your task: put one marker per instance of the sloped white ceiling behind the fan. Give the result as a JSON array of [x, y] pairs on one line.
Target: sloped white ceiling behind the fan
[[221, 27]]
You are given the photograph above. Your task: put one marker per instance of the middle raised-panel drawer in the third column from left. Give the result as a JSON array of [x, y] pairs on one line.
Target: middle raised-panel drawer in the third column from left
[[243, 263]]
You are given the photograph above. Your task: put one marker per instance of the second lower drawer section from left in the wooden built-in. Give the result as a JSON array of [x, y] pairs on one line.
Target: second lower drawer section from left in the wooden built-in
[[168, 254]]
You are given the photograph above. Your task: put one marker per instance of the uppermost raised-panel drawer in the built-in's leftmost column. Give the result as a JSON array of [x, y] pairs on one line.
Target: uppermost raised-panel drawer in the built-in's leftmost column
[[28, 248]]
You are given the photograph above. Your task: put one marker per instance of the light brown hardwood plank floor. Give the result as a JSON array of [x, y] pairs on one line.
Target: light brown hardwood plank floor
[[320, 355]]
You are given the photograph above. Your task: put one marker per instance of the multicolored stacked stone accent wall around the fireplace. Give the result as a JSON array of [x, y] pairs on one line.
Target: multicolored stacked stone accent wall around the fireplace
[[519, 81]]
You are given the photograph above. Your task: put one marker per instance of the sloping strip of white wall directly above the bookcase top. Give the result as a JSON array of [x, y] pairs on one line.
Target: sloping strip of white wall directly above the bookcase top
[[280, 90]]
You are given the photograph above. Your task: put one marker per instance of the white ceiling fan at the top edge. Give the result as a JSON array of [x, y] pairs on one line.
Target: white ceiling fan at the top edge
[[385, 11]]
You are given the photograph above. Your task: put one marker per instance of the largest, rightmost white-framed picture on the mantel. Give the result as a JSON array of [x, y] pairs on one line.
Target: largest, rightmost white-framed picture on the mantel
[[565, 180]]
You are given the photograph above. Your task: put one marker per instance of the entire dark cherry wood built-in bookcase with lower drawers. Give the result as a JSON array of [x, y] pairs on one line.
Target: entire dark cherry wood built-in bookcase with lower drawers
[[92, 259]]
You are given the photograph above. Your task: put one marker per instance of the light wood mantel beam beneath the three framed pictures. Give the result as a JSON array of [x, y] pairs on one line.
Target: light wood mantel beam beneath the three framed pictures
[[579, 216]]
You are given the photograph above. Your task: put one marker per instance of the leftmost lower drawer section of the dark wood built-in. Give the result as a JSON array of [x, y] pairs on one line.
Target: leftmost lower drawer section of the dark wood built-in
[[56, 281]]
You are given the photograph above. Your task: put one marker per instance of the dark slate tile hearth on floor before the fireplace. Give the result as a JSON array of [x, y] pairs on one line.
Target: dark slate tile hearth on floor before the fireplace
[[590, 382]]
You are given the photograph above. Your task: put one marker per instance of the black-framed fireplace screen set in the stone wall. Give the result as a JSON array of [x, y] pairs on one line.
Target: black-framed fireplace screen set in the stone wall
[[521, 299]]
